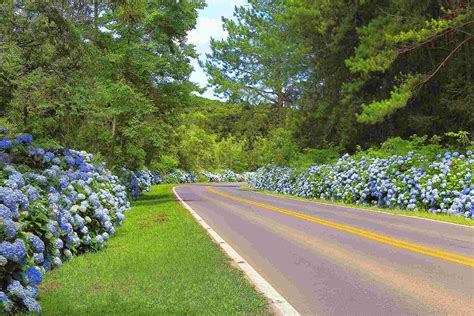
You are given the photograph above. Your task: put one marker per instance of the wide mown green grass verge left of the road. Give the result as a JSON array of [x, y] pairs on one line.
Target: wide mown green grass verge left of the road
[[160, 262]]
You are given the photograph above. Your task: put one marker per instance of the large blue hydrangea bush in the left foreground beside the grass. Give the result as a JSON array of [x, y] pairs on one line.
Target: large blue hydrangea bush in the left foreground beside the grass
[[53, 205]]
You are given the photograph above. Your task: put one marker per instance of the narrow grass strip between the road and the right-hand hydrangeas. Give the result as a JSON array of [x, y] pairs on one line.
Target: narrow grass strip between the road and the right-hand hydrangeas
[[423, 214]]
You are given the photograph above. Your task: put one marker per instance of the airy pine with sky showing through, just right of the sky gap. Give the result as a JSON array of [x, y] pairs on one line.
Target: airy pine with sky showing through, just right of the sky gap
[[258, 63]]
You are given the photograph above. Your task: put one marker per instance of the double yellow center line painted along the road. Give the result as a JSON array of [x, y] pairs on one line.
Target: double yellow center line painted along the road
[[468, 261]]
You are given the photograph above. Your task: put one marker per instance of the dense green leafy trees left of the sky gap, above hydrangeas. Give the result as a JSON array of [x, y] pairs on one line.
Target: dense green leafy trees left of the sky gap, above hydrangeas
[[107, 77]]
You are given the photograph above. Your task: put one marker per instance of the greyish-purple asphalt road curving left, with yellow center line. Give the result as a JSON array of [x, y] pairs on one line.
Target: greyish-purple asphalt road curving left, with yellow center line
[[332, 260]]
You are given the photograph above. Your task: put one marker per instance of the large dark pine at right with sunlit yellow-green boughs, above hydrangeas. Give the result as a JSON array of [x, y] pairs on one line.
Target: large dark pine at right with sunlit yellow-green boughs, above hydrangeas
[[383, 68]]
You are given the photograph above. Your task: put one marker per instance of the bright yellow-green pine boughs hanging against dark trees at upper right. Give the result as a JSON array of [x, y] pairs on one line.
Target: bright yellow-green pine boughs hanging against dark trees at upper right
[[386, 38]]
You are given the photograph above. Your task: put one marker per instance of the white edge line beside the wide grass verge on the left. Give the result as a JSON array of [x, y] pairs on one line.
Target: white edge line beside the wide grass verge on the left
[[278, 302]]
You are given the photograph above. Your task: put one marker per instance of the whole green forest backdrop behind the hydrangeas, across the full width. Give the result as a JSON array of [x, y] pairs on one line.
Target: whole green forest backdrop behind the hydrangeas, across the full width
[[302, 80]]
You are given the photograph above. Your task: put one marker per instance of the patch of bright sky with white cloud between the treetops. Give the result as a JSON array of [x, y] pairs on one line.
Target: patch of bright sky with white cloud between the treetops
[[209, 25]]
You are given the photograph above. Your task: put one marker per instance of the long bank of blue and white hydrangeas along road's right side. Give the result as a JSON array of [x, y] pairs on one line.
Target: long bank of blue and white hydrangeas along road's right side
[[411, 182]]
